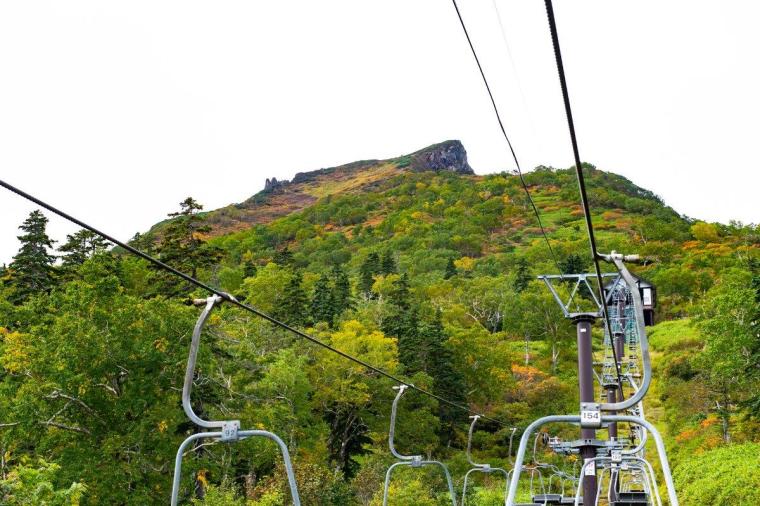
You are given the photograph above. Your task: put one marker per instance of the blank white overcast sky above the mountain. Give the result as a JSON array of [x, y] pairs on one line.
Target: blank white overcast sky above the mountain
[[116, 111]]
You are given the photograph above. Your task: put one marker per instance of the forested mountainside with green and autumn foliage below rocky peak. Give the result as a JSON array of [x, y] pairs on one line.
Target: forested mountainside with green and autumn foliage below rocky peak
[[414, 264]]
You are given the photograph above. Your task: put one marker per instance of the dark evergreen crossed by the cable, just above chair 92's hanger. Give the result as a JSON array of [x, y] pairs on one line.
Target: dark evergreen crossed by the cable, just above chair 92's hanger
[[183, 248]]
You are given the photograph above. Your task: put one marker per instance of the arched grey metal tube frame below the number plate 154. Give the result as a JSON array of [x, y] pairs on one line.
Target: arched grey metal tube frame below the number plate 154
[[576, 419]]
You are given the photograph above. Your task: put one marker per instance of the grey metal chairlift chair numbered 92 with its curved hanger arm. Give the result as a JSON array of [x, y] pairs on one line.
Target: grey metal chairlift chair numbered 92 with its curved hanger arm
[[229, 432]]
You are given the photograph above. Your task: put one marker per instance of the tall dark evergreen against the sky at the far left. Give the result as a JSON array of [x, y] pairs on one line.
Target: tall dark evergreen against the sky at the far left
[[32, 269]]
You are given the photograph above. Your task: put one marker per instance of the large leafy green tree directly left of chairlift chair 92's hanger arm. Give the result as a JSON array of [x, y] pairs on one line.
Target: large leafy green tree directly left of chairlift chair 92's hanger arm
[[92, 376]]
